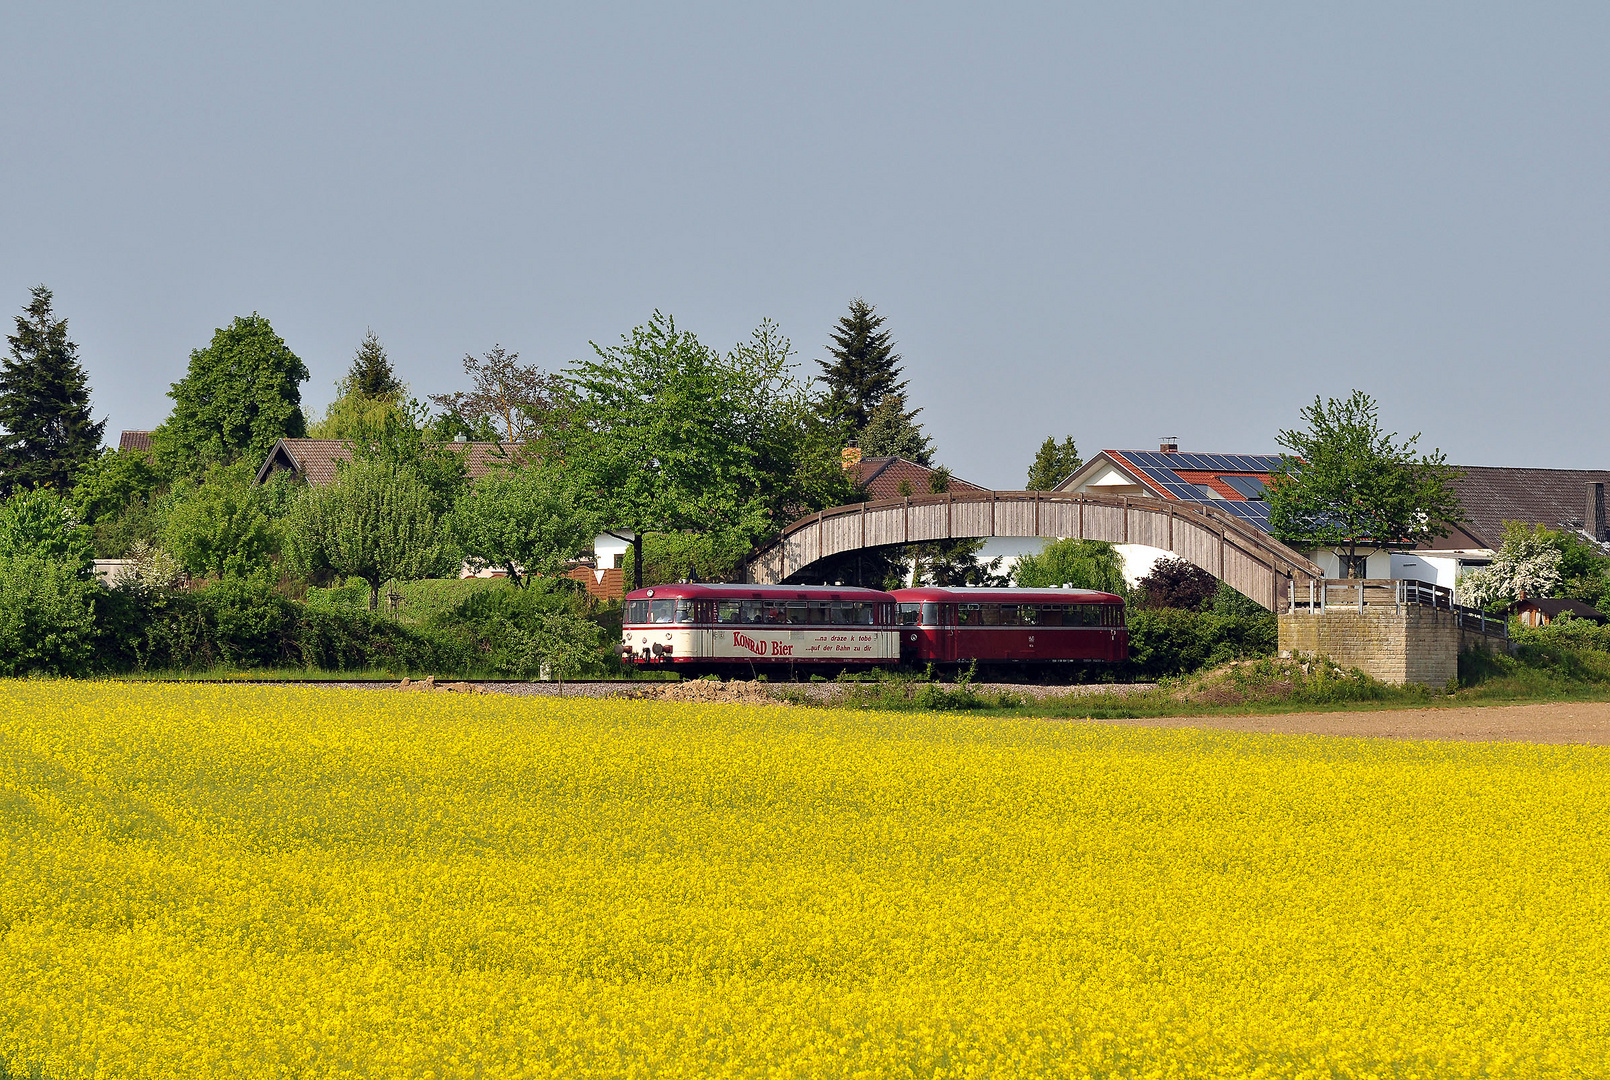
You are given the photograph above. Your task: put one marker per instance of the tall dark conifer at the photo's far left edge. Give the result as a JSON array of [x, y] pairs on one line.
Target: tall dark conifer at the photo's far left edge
[[47, 432]]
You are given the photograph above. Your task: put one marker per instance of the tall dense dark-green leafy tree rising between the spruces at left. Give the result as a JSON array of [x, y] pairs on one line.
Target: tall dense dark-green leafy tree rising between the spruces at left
[[239, 398]]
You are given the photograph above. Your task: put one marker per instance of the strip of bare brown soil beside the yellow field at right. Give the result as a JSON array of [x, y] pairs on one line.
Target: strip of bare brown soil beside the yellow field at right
[[1585, 723]]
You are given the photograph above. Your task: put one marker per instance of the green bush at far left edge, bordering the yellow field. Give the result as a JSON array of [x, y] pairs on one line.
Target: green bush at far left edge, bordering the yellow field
[[47, 616]]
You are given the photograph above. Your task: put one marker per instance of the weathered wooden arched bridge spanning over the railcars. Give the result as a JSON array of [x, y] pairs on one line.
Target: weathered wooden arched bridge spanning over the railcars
[[1239, 554]]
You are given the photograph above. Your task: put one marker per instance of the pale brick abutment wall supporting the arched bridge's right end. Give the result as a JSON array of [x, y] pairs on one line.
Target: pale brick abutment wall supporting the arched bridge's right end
[[1393, 645]]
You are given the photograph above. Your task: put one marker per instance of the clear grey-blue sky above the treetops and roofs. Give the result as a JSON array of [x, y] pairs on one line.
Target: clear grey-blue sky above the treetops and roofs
[[1107, 221]]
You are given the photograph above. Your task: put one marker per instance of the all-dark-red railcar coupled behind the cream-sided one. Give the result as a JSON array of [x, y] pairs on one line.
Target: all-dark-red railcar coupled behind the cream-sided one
[[1023, 627]]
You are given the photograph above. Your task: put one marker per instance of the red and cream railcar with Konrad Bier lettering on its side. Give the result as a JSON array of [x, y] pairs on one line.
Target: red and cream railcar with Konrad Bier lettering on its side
[[732, 627]]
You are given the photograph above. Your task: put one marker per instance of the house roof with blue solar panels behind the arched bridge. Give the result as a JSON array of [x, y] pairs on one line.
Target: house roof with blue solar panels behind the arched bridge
[[1236, 484]]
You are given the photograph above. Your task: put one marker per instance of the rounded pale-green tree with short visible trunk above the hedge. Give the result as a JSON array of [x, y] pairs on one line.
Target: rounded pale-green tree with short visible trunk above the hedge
[[374, 522]]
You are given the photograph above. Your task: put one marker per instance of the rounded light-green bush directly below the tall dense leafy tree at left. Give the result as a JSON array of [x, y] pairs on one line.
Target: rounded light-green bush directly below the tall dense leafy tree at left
[[220, 526]]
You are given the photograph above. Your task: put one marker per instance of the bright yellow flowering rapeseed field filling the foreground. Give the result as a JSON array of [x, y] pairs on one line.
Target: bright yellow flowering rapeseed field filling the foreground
[[312, 883]]
